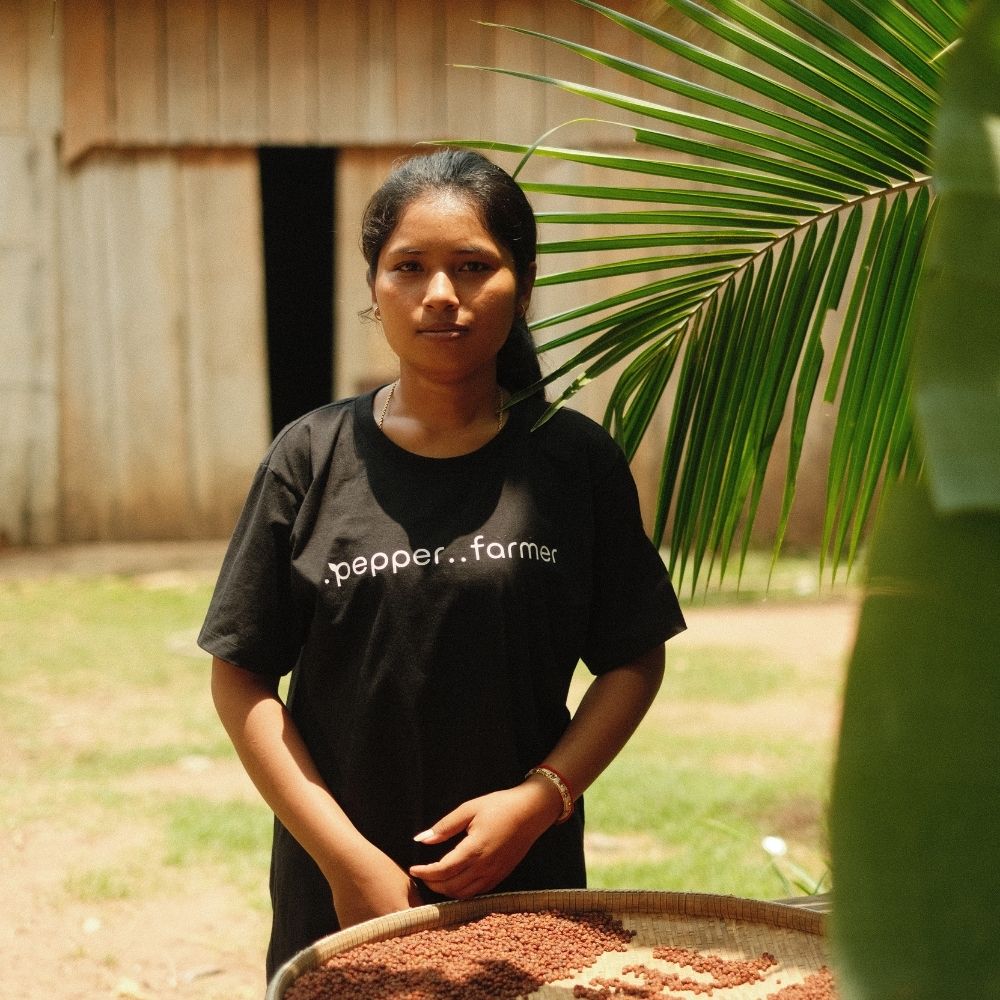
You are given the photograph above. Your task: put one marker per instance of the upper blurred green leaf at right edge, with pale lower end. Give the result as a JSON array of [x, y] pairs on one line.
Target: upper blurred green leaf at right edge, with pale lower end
[[957, 370]]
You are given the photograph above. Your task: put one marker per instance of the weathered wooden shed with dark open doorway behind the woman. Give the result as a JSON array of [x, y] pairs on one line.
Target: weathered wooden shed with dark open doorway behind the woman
[[180, 186]]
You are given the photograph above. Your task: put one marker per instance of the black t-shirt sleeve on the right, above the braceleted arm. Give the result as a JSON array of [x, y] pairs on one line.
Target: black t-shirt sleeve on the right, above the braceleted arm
[[634, 606]]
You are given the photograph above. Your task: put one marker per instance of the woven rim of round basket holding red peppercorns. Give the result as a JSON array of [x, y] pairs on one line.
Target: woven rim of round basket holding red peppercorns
[[631, 901]]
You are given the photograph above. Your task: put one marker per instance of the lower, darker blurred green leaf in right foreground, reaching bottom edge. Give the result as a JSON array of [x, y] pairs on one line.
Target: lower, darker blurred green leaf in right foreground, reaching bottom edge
[[915, 813]]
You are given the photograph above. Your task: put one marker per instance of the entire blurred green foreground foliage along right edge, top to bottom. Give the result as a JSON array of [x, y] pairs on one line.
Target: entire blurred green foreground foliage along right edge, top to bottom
[[915, 814]]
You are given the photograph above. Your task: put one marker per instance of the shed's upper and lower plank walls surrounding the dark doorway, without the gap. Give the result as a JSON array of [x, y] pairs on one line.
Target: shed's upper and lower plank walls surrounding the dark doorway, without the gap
[[163, 397]]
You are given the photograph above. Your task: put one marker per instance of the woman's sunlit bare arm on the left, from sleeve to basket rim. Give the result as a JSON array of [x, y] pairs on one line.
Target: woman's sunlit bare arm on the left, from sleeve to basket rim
[[364, 881]]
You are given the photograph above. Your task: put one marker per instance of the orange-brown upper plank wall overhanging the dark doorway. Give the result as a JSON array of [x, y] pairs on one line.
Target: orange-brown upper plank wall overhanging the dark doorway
[[325, 72]]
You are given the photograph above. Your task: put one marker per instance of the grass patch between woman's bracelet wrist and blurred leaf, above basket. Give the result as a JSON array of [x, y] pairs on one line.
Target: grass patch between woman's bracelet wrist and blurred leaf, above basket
[[701, 822]]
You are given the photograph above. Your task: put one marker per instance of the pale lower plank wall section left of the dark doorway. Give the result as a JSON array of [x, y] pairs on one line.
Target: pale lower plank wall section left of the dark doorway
[[164, 372]]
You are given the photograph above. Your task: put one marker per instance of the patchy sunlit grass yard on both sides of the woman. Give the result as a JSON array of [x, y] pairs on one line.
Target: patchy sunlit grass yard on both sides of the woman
[[106, 715]]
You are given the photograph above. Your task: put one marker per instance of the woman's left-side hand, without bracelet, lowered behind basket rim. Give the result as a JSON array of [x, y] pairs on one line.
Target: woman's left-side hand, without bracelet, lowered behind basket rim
[[370, 885]]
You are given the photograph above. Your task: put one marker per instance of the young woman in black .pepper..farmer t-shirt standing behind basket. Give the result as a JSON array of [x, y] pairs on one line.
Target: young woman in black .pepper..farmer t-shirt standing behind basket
[[431, 569]]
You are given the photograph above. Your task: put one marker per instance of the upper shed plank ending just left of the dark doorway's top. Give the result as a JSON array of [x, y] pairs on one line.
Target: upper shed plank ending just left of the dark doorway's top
[[241, 70]]
